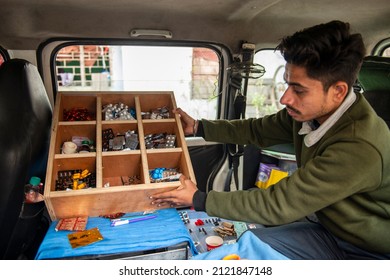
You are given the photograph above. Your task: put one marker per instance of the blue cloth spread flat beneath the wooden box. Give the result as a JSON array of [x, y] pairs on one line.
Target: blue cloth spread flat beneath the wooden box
[[166, 230]]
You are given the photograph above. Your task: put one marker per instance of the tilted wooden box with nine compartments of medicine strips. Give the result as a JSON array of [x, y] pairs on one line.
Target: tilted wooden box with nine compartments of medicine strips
[[111, 193]]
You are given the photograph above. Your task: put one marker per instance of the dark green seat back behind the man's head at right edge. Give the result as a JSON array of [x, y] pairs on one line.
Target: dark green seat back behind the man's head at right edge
[[374, 79]]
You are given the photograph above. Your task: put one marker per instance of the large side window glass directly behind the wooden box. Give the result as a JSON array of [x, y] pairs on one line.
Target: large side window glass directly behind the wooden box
[[191, 73]]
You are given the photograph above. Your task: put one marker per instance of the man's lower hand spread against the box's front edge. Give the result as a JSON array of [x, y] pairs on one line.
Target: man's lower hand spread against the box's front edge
[[182, 196]]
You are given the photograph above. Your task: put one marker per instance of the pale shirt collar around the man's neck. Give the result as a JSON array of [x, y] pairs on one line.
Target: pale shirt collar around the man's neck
[[313, 136]]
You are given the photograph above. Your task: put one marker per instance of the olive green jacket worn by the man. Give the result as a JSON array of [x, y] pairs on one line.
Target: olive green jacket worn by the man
[[344, 178]]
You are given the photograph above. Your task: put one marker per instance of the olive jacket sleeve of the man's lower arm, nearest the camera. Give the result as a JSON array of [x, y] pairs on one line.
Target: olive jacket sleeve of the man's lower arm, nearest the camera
[[330, 182]]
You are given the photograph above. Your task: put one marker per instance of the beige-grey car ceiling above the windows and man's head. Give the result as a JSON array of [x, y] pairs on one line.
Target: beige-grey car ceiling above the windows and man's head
[[25, 24]]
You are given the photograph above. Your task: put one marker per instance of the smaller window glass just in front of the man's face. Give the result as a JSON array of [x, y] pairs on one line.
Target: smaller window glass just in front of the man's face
[[264, 93]]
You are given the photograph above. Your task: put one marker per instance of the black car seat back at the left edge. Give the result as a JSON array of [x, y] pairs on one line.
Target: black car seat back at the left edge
[[25, 122]]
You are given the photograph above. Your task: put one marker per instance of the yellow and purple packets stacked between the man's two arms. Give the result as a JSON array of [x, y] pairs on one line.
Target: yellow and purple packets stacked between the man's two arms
[[268, 175]]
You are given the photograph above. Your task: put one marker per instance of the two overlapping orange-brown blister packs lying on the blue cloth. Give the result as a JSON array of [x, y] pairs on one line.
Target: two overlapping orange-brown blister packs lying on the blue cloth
[[81, 237]]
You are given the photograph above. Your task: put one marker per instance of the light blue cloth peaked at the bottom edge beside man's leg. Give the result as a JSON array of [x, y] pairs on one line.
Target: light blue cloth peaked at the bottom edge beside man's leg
[[248, 246]]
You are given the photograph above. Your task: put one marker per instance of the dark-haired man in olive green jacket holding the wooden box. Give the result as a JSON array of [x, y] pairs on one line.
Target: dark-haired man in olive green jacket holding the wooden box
[[342, 150]]
